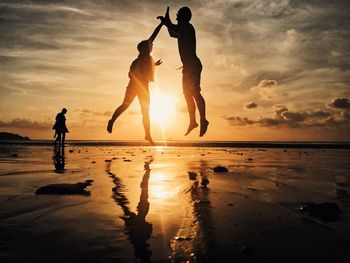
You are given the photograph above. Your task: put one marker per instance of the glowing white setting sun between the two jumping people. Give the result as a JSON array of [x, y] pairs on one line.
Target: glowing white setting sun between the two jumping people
[[162, 108]]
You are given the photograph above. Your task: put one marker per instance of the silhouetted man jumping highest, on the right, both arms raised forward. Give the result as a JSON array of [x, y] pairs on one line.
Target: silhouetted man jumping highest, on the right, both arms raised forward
[[192, 66]]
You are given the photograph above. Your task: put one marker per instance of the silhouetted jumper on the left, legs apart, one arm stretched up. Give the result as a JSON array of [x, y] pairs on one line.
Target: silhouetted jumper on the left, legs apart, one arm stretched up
[[140, 74]]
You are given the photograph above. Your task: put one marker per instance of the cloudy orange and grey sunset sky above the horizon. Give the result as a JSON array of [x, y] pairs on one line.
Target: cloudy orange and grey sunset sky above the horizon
[[272, 70]]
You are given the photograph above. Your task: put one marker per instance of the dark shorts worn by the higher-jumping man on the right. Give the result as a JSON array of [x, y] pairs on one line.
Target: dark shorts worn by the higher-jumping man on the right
[[191, 77]]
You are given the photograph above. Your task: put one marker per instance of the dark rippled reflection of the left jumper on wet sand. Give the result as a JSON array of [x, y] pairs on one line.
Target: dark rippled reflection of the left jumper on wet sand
[[137, 228]]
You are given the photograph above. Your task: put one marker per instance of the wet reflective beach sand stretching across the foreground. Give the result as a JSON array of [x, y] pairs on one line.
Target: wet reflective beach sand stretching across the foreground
[[144, 206]]
